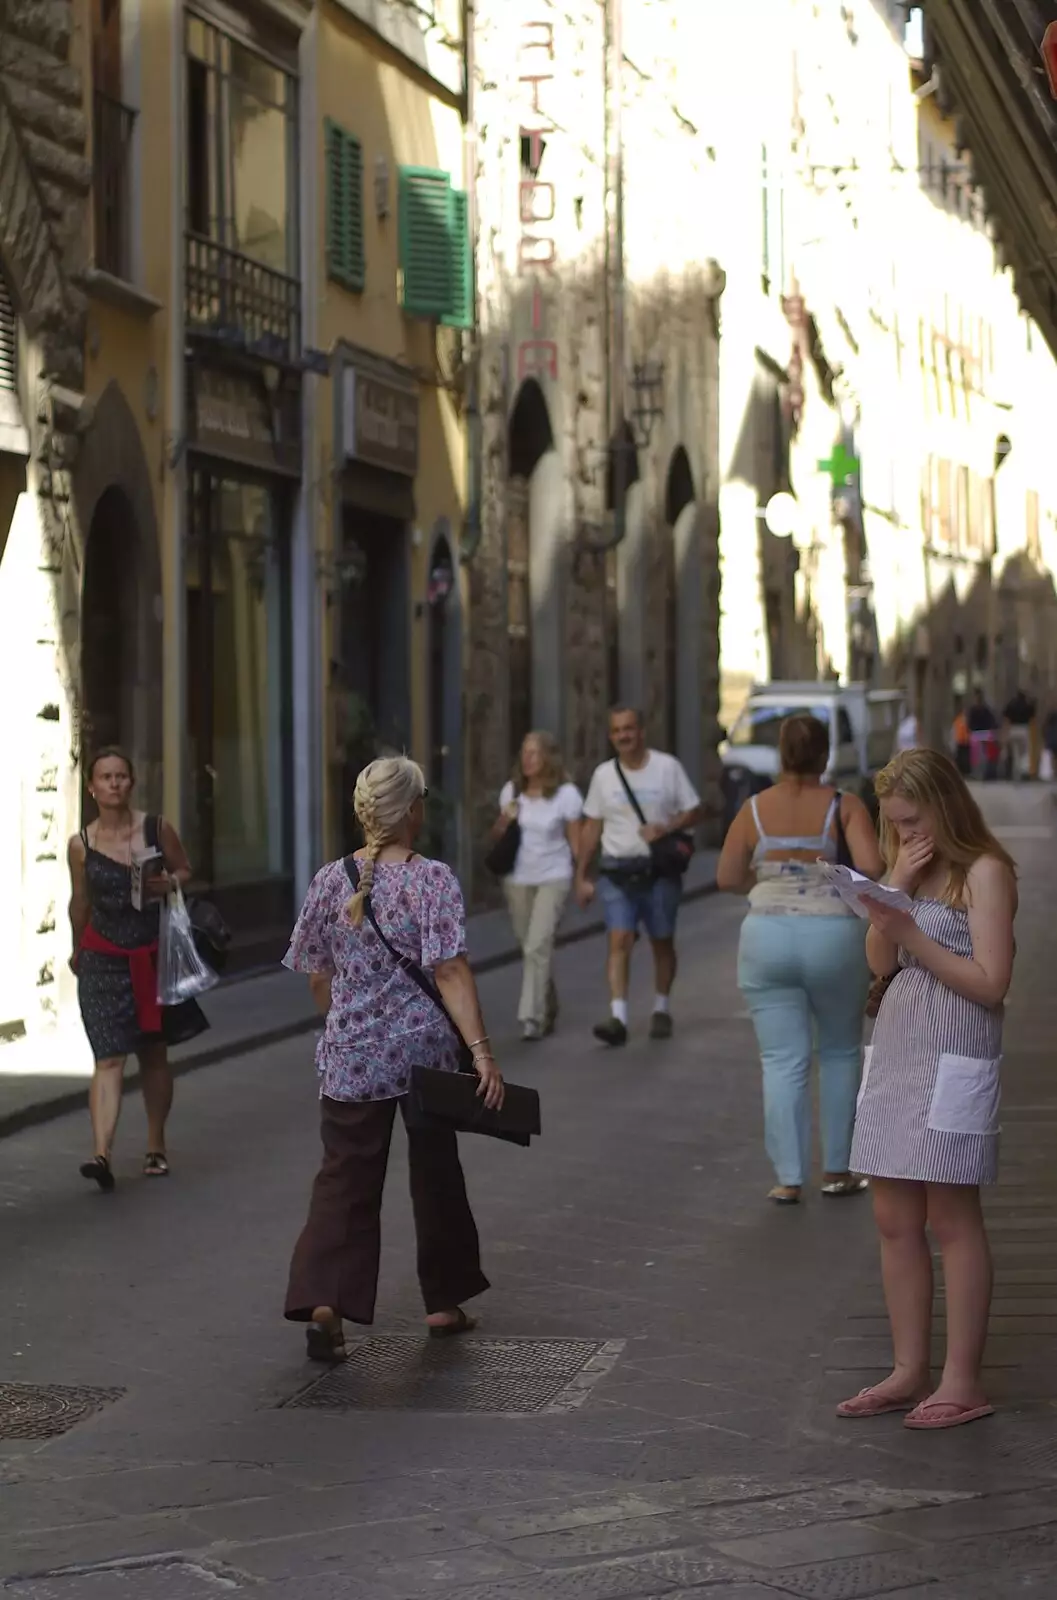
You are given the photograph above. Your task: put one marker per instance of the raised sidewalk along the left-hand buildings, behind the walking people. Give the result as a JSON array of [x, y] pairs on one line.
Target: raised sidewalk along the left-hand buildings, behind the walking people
[[47, 1076]]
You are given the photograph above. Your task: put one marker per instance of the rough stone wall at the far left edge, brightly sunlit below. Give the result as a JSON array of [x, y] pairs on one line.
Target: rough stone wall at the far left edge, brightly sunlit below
[[44, 239]]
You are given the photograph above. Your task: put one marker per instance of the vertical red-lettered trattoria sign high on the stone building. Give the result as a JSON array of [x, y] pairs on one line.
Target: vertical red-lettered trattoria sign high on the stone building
[[538, 356]]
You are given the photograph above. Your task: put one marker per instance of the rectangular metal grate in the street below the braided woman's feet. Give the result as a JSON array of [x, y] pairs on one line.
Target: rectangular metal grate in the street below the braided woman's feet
[[465, 1375]]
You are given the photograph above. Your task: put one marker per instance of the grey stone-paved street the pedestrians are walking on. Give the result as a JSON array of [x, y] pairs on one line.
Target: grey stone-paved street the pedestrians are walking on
[[671, 1430]]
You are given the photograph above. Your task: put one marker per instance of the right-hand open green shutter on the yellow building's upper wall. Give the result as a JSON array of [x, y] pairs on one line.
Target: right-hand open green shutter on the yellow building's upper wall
[[436, 255]]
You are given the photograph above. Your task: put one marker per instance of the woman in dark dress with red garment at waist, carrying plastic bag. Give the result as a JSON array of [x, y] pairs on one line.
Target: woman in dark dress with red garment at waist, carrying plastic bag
[[114, 959]]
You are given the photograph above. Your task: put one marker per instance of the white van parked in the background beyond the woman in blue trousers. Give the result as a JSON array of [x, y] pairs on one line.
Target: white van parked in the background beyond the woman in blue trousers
[[863, 727]]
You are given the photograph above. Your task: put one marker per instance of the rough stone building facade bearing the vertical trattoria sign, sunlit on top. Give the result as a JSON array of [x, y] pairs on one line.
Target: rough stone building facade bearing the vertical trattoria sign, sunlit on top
[[544, 278]]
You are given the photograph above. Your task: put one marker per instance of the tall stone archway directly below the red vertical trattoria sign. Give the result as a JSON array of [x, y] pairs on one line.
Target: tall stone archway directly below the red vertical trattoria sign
[[535, 516]]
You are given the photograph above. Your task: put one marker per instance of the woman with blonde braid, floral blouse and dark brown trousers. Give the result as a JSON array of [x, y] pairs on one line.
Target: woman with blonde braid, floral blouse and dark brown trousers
[[380, 1026]]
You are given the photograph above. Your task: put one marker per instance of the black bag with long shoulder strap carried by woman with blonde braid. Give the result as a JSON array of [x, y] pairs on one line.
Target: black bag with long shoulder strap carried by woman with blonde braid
[[450, 1100]]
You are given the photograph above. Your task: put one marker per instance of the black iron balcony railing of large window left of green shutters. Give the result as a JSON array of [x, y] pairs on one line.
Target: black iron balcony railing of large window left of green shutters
[[241, 302]]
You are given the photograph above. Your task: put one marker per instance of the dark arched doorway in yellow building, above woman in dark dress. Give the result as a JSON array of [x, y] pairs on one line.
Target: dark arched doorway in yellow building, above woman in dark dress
[[121, 596]]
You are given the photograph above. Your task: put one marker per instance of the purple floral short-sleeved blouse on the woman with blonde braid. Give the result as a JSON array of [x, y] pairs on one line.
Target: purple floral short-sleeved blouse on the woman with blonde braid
[[380, 1025]]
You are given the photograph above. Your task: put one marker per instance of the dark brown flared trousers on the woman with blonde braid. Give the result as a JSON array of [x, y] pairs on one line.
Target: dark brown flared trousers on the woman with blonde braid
[[338, 1254]]
